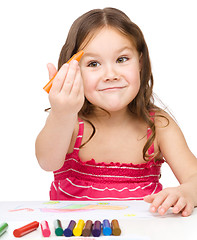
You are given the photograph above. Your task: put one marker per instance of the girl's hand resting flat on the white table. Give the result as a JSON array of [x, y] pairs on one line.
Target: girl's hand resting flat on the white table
[[178, 198]]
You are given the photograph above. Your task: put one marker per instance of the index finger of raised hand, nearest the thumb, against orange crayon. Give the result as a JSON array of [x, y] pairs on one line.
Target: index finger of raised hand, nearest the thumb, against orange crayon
[[59, 79]]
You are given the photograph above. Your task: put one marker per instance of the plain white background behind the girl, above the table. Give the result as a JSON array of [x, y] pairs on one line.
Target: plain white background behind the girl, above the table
[[32, 34]]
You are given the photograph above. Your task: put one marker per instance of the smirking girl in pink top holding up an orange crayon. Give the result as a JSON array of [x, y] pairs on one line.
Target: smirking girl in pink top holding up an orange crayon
[[104, 138]]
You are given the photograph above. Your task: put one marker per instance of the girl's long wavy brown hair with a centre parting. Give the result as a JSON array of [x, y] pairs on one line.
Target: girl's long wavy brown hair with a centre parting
[[84, 27]]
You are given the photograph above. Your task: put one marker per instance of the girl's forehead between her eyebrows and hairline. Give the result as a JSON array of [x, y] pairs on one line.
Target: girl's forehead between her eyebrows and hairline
[[107, 36]]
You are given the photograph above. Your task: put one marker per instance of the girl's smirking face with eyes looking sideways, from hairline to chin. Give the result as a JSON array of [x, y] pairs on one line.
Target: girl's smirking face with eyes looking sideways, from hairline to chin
[[110, 69]]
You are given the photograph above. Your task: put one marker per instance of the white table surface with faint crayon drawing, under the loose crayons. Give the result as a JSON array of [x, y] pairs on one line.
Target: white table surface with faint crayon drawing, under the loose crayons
[[136, 222]]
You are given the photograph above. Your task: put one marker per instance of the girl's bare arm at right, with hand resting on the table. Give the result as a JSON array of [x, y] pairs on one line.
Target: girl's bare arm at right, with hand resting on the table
[[184, 166]]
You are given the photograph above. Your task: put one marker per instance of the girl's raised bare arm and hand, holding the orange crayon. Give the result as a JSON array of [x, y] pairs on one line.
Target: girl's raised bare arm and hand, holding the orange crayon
[[66, 97]]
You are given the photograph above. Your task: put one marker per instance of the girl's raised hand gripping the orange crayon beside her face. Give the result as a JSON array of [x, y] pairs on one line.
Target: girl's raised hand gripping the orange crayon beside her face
[[66, 95]]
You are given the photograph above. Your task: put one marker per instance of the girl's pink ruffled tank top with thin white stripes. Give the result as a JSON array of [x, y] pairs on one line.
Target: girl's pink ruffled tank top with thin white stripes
[[78, 180]]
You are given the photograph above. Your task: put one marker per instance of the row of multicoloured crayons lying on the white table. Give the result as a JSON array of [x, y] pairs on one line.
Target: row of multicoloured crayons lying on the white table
[[80, 228]]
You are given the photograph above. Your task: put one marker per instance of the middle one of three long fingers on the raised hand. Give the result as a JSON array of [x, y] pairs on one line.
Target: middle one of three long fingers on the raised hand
[[70, 78]]
